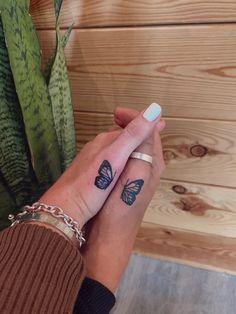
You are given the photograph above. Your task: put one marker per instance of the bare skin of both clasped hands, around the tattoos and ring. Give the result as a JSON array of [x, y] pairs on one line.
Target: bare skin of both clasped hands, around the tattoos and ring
[[110, 234]]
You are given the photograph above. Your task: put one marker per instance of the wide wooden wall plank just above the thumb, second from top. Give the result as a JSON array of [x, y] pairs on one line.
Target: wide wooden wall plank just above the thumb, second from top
[[189, 70]]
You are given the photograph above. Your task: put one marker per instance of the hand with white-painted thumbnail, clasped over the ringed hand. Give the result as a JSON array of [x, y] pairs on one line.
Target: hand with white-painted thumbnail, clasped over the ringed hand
[[82, 190]]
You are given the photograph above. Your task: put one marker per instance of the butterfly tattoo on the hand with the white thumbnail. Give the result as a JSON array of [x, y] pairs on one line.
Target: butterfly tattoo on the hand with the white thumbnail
[[105, 175]]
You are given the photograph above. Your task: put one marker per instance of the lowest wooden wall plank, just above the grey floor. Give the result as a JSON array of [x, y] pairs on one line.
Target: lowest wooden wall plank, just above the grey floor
[[201, 250]]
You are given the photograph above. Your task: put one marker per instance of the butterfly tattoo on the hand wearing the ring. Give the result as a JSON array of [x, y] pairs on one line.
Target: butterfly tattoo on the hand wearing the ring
[[131, 190]]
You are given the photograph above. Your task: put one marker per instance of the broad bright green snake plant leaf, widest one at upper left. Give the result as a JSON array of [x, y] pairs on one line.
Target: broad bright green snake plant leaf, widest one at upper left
[[25, 59]]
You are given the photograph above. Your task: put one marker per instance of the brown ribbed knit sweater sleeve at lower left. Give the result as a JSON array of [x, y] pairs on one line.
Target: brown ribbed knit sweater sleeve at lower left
[[40, 271]]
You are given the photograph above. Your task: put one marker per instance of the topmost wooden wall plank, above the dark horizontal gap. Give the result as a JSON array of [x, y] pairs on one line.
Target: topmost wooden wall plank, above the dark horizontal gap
[[131, 12]]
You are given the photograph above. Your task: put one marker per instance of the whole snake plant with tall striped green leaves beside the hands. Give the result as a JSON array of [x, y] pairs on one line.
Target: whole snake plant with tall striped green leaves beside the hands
[[37, 136]]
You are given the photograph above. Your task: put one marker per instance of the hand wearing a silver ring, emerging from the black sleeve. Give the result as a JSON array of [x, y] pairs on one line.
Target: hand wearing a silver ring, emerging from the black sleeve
[[112, 232]]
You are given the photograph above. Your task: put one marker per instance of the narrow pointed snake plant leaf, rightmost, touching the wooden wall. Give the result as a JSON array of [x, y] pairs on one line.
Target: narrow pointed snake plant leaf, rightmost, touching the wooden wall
[[59, 89]]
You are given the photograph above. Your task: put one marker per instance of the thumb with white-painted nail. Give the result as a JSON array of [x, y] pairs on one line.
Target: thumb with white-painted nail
[[137, 130]]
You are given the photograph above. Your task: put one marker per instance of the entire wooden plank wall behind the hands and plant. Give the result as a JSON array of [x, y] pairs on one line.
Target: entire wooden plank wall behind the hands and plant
[[182, 54]]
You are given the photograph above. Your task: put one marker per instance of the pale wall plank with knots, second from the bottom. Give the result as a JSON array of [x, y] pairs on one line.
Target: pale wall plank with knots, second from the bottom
[[194, 208]]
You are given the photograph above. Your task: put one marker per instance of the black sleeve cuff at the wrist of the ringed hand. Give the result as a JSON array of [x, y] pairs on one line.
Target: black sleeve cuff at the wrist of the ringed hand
[[94, 298]]
